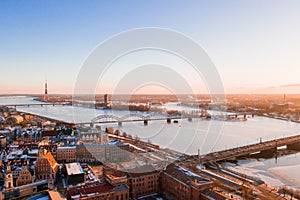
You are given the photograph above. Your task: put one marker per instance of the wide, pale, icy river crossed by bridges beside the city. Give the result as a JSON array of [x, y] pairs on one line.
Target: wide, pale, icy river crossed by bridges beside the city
[[189, 137]]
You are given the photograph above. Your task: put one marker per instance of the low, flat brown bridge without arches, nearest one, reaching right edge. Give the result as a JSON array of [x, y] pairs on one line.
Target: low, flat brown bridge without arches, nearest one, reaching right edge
[[267, 148]]
